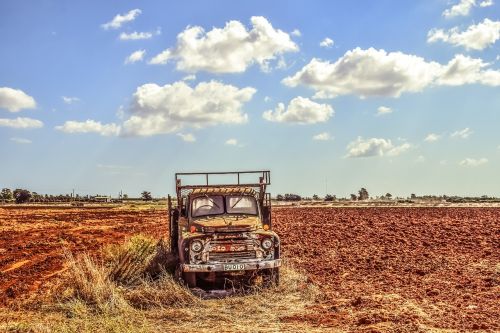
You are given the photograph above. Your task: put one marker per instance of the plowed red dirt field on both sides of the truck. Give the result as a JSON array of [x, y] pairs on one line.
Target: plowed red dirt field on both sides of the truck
[[398, 269]]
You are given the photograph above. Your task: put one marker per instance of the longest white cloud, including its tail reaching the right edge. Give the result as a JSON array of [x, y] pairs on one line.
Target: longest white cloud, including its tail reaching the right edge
[[378, 73]]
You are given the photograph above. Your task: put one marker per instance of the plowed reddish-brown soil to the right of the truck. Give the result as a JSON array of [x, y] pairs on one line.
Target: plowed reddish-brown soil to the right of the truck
[[437, 266]]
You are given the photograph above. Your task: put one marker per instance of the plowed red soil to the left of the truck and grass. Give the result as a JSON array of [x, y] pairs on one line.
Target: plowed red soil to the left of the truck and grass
[[33, 241]]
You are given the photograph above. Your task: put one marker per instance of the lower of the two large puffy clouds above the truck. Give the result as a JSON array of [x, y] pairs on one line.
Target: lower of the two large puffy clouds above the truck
[[165, 109]]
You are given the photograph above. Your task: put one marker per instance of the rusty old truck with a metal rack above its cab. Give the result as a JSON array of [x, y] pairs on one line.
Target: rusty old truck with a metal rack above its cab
[[222, 233]]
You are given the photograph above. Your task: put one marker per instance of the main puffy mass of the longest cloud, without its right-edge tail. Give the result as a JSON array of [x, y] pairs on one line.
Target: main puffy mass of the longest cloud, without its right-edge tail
[[366, 73]]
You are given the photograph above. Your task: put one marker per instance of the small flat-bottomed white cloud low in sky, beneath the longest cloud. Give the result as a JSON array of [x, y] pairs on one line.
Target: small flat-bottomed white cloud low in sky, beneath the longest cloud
[[375, 147]]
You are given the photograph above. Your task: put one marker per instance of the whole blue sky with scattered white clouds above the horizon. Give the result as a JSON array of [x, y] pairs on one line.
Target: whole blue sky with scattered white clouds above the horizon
[[395, 96]]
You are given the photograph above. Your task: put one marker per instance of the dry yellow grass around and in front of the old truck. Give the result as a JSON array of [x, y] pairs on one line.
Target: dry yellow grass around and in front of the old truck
[[117, 294]]
